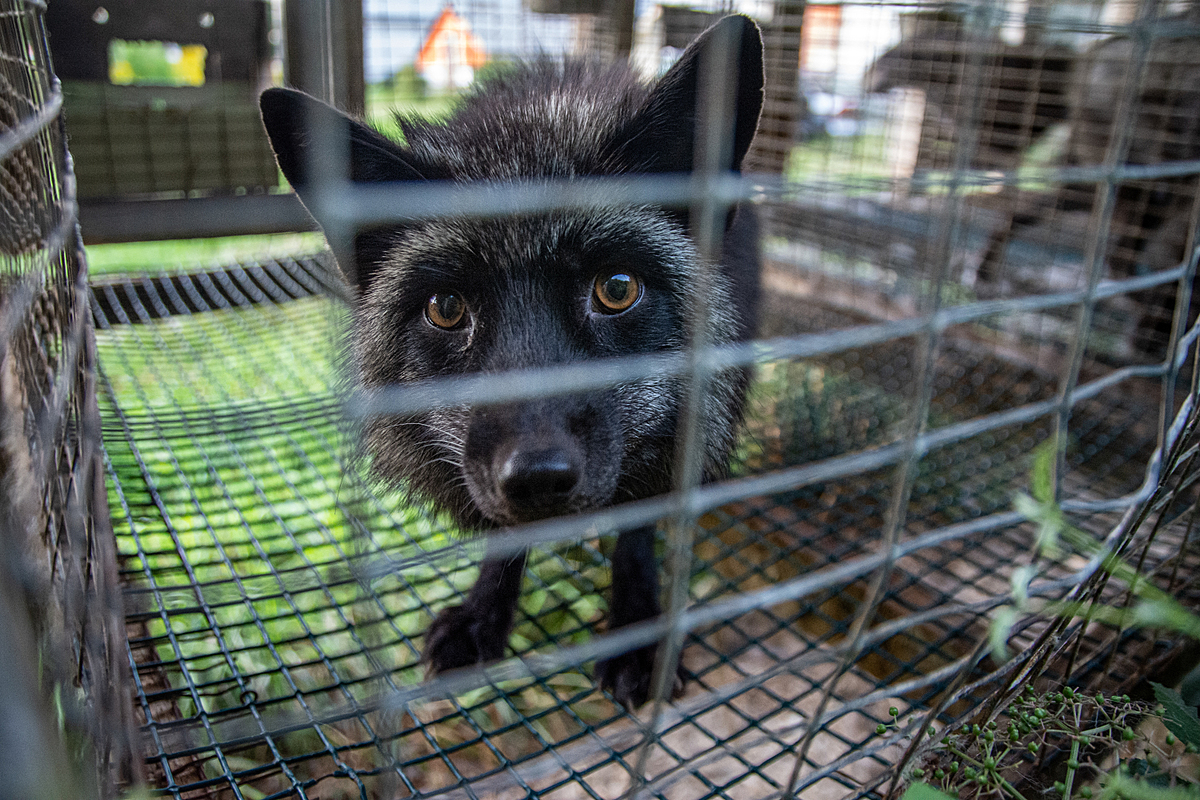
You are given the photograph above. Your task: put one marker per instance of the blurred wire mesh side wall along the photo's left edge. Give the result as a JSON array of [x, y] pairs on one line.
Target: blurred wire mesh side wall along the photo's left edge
[[67, 723]]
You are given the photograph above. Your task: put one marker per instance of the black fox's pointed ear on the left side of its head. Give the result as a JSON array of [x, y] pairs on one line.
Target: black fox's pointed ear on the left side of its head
[[291, 118]]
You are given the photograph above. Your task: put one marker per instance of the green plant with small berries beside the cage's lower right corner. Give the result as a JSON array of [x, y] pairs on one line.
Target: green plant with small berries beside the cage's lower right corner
[[1113, 748]]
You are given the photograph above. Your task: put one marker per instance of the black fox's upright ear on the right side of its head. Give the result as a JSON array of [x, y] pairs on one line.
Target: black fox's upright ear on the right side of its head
[[662, 137]]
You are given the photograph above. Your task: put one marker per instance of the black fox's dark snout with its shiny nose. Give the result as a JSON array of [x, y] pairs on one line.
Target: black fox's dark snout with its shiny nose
[[542, 460]]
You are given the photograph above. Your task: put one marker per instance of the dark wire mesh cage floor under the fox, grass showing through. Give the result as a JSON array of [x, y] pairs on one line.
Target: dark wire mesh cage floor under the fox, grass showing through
[[274, 594]]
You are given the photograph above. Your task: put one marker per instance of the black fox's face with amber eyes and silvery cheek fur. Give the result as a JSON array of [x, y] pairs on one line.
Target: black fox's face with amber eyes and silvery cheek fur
[[517, 294]]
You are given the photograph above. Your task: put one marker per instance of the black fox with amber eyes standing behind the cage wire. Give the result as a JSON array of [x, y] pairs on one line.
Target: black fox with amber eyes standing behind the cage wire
[[487, 296]]
